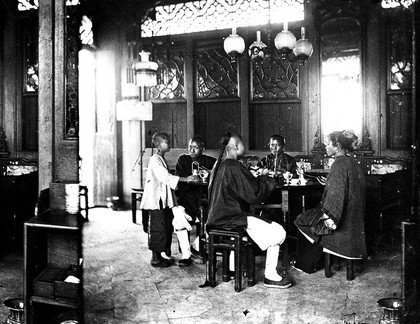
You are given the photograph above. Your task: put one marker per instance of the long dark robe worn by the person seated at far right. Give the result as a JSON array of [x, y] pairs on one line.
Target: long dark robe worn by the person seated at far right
[[343, 201]]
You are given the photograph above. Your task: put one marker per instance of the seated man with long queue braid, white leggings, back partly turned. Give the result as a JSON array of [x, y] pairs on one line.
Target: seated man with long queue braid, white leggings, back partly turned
[[232, 187]]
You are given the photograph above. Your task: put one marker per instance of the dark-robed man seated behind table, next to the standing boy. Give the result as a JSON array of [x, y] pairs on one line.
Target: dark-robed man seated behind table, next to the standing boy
[[189, 195]]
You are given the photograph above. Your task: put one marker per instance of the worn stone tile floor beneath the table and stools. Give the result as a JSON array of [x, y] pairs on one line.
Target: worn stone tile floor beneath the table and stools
[[120, 286]]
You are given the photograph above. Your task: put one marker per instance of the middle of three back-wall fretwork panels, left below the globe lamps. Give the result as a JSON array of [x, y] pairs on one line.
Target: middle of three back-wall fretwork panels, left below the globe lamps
[[217, 76]]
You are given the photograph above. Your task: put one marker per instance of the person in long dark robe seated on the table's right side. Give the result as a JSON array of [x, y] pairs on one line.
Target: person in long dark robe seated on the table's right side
[[337, 224]]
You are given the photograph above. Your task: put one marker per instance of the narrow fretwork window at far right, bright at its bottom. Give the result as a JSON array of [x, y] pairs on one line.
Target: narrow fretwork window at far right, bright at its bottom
[[400, 54]]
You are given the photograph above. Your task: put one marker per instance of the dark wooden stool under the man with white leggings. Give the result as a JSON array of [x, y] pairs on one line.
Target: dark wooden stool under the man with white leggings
[[226, 241]]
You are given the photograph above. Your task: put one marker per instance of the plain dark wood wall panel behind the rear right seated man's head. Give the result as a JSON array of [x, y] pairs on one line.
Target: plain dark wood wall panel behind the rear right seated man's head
[[273, 118]]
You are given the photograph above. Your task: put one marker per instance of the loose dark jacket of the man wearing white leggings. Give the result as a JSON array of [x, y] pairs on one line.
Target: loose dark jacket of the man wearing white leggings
[[233, 188]]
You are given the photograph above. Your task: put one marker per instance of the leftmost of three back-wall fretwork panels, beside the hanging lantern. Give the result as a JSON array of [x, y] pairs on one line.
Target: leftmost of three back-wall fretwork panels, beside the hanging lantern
[[170, 74]]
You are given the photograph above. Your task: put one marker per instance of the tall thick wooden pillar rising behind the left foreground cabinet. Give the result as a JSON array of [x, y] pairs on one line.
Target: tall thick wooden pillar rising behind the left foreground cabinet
[[58, 156]]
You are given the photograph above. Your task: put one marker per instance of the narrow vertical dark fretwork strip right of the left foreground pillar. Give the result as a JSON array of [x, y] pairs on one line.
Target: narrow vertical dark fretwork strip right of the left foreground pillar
[[72, 74]]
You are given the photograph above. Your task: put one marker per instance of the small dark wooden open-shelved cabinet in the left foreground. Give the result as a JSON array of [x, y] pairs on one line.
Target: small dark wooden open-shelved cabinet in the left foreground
[[52, 253]]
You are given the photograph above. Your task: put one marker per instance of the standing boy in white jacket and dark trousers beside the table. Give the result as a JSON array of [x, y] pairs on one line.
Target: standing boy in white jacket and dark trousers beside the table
[[159, 200]]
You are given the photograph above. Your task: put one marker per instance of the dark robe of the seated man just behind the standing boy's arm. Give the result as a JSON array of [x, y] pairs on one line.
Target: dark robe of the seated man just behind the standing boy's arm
[[188, 195]]
